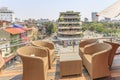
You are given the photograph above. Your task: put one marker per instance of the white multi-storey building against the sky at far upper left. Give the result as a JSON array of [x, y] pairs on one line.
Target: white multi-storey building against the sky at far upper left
[[6, 14]]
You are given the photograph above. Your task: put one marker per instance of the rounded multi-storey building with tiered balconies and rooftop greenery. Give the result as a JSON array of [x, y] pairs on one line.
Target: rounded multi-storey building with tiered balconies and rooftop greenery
[[69, 26]]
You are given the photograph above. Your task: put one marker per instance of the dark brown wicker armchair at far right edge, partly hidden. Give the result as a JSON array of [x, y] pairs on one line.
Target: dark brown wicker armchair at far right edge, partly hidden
[[113, 52]]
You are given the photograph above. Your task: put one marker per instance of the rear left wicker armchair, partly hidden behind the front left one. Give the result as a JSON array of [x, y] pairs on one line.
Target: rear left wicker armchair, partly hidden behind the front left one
[[50, 48]]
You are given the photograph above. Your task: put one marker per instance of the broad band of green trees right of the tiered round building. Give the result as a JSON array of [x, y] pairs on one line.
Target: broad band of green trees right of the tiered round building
[[107, 28]]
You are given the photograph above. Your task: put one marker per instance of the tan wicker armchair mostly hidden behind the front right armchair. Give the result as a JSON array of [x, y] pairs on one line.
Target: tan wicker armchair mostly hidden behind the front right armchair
[[83, 43]]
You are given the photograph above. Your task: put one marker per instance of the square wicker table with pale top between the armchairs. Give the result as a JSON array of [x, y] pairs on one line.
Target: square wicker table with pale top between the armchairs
[[70, 64]]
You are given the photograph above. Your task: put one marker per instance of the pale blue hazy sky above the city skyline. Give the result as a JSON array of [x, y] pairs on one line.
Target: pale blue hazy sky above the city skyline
[[49, 9]]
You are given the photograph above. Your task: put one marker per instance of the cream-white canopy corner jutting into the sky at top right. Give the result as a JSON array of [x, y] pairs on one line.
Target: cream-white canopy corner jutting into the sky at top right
[[111, 11]]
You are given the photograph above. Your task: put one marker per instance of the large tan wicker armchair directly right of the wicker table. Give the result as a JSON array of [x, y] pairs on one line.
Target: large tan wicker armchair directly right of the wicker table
[[95, 60]]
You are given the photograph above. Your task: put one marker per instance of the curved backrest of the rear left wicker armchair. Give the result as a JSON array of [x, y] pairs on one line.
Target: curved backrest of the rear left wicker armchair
[[47, 44]]
